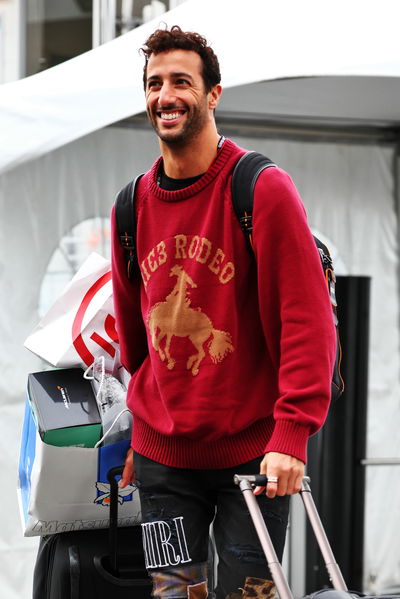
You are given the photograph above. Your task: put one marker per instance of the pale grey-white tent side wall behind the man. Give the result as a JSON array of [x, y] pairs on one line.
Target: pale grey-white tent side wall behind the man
[[348, 193]]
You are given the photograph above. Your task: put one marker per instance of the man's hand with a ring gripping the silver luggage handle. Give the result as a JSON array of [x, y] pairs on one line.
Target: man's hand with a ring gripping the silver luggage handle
[[288, 470]]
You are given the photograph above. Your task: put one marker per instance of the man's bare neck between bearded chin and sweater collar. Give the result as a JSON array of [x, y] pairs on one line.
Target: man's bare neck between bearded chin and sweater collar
[[192, 159]]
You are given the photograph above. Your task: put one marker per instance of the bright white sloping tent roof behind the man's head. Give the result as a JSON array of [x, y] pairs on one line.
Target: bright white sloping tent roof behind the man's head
[[255, 41]]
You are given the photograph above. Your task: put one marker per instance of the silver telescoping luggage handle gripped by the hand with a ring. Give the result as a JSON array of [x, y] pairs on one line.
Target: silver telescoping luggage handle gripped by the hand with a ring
[[246, 484]]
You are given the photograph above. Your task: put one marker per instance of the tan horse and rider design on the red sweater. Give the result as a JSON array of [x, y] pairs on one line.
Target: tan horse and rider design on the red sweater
[[175, 317]]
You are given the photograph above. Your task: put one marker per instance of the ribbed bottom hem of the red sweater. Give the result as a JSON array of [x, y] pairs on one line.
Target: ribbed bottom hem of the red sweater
[[180, 452]]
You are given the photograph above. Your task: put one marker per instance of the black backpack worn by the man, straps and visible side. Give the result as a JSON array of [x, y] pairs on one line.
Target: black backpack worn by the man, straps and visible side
[[244, 178]]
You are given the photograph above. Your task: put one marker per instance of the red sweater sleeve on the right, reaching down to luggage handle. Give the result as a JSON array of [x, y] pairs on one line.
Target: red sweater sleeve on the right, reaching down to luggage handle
[[295, 310]]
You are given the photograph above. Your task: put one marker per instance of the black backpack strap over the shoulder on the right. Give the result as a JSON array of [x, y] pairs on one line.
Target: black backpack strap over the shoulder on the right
[[245, 175]]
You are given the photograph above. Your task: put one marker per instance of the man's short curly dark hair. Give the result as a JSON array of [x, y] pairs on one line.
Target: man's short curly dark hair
[[163, 40]]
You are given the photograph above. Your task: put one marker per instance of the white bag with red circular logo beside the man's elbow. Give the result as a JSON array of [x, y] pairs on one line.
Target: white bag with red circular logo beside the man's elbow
[[80, 325]]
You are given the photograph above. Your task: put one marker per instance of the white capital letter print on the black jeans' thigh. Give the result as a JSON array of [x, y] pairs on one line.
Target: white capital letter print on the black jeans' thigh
[[164, 543]]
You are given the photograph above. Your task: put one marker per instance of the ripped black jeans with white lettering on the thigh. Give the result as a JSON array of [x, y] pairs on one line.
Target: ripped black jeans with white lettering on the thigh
[[178, 506]]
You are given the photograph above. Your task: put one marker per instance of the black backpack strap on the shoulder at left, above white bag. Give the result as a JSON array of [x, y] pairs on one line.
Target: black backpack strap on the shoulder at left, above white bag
[[125, 216]]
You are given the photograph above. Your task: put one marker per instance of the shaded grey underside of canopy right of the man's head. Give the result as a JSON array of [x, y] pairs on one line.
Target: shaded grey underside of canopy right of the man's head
[[333, 100]]
